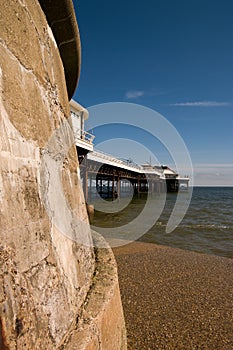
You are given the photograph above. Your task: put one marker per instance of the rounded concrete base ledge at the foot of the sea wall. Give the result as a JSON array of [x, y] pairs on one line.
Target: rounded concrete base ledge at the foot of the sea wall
[[100, 324]]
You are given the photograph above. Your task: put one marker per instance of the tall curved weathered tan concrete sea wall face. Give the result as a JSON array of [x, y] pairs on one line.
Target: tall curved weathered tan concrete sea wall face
[[46, 257]]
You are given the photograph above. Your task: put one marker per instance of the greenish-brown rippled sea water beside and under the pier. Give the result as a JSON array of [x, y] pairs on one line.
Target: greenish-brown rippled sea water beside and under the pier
[[207, 226]]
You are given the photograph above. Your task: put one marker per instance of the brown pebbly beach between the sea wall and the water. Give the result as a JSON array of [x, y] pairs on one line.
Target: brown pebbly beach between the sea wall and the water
[[175, 299]]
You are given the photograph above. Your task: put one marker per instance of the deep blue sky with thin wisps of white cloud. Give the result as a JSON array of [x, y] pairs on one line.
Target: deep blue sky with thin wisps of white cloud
[[172, 56]]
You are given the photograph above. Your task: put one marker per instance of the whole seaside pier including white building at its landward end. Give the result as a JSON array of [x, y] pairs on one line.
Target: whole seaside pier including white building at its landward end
[[110, 177]]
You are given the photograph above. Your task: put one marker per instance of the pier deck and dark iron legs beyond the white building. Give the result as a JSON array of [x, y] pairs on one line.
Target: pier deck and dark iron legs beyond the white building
[[110, 177]]
